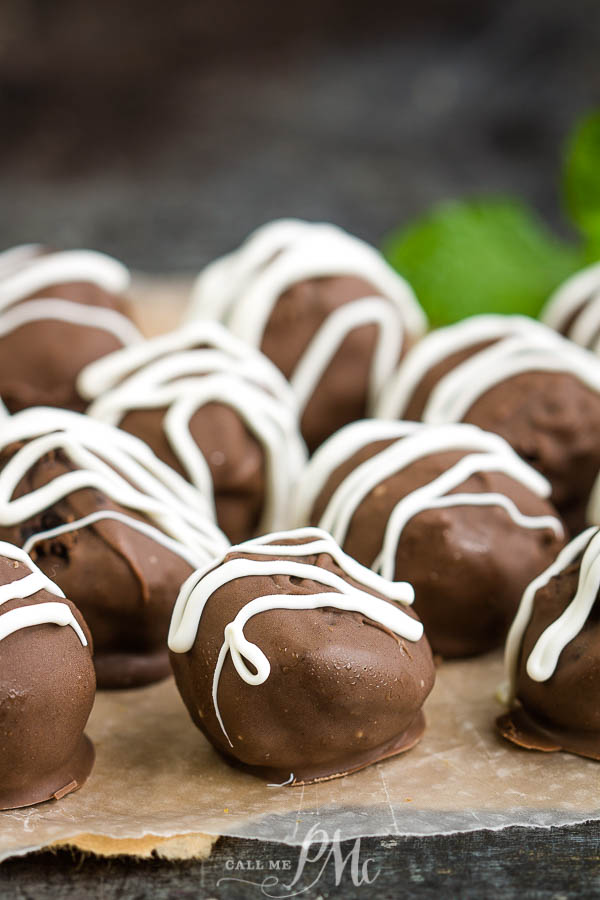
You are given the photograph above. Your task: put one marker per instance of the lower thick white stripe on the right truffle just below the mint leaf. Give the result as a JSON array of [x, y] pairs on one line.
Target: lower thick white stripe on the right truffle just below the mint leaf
[[457, 391]]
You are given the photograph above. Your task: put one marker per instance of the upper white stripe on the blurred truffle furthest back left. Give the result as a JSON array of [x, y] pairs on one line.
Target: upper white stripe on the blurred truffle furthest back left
[[58, 268]]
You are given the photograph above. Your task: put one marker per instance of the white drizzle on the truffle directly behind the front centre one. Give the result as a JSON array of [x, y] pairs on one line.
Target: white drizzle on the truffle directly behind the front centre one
[[186, 370]]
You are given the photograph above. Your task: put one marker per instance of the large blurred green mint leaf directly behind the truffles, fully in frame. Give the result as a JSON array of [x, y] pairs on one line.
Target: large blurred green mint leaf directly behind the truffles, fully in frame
[[481, 256]]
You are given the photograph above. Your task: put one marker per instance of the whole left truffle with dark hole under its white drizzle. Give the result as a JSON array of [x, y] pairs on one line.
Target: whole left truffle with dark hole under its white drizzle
[[115, 527]]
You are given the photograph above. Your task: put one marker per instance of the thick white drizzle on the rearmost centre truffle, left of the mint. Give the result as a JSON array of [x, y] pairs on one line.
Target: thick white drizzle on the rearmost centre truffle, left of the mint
[[243, 288]]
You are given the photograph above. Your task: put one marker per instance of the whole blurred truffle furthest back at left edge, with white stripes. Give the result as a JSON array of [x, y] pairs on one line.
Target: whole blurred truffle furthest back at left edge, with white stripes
[[58, 312]]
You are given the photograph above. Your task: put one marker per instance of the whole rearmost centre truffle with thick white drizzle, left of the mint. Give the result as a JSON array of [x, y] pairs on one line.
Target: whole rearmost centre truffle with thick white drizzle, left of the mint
[[324, 307]]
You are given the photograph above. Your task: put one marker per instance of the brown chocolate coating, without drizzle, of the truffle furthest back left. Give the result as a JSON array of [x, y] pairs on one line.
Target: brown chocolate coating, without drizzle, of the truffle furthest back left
[[41, 359]]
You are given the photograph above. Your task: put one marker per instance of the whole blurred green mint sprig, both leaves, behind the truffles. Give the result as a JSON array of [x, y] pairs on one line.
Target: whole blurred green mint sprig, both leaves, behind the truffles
[[496, 255]]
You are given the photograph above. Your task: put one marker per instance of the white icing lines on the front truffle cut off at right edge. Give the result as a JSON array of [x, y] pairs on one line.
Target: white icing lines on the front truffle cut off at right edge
[[543, 659]]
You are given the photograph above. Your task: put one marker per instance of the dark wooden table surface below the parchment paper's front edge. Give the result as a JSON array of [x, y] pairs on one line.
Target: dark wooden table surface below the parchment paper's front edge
[[515, 862]]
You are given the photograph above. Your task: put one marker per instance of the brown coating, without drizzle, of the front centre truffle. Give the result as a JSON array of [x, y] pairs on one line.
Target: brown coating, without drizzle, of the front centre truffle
[[342, 693]]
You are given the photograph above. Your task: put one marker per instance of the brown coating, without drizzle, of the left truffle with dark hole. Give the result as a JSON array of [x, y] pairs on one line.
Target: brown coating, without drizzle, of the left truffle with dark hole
[[124, 582]]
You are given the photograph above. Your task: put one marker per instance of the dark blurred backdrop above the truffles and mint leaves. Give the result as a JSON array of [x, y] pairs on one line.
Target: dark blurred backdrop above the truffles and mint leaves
[[163, 133]]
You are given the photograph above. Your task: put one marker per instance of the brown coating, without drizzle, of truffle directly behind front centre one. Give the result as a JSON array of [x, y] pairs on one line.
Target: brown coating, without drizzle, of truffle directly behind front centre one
[[234, 456]]
